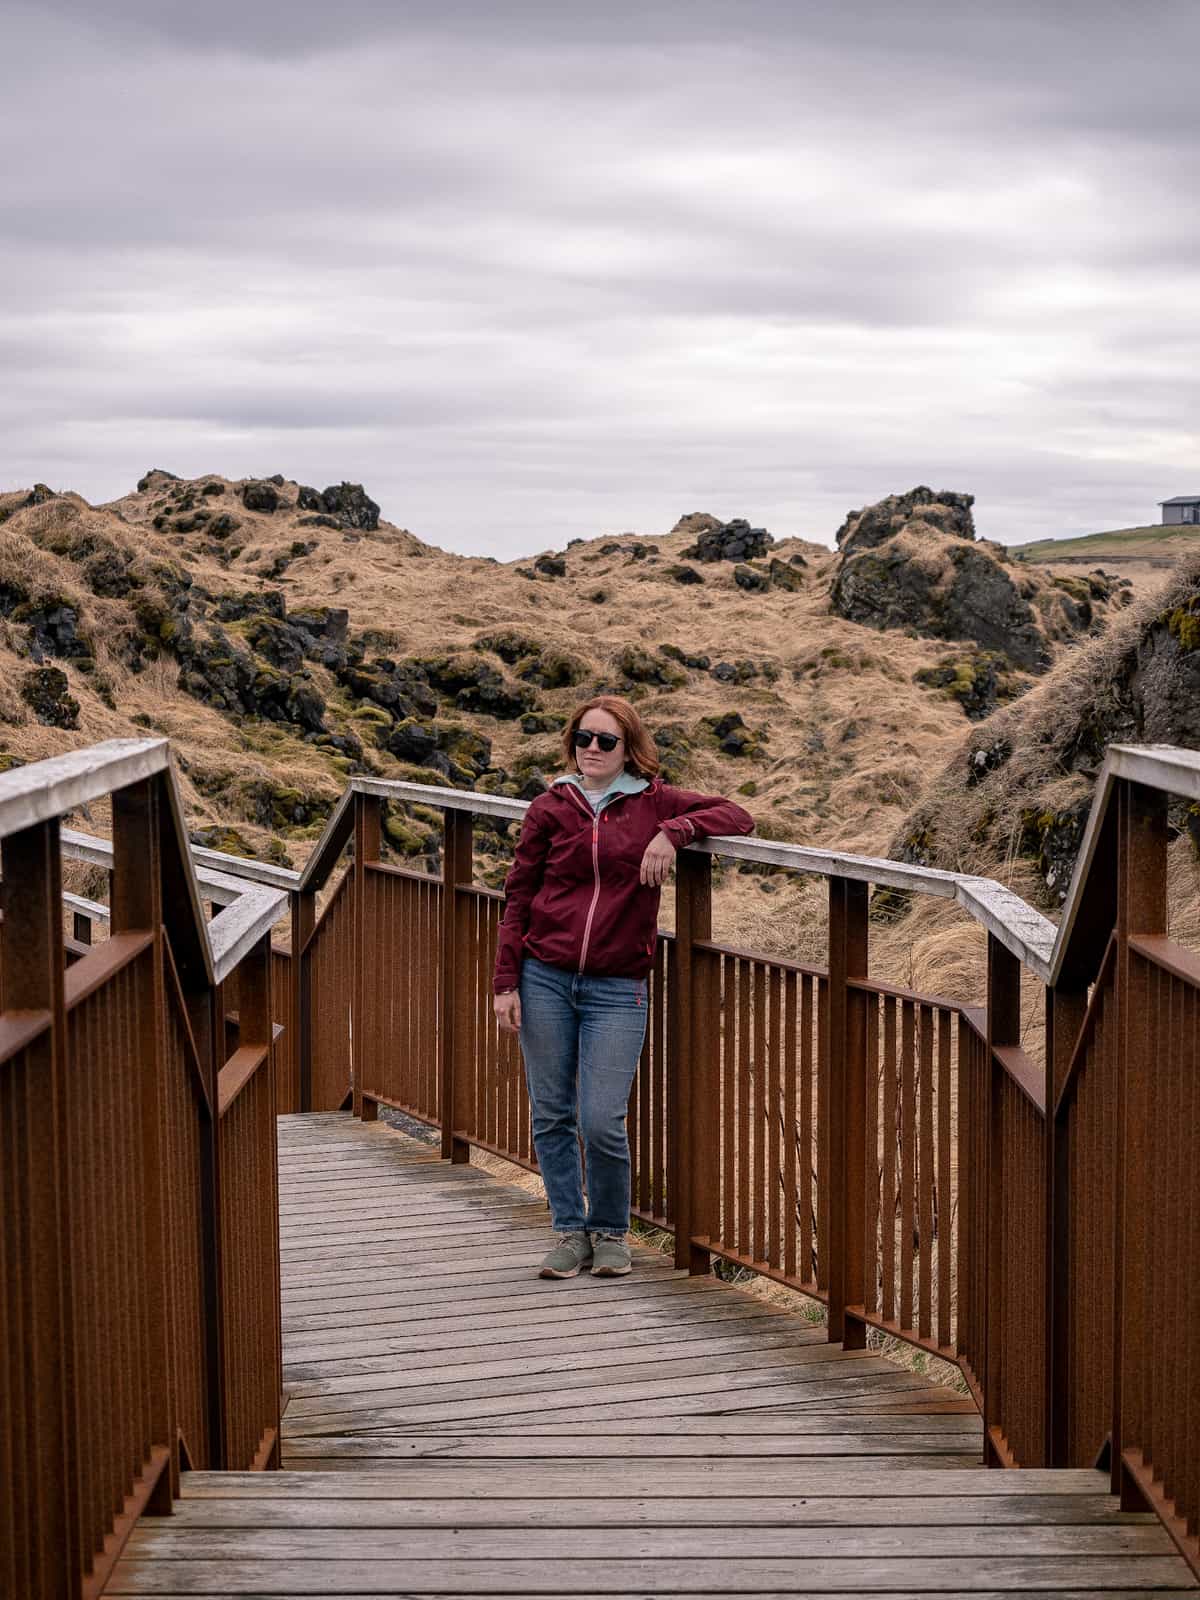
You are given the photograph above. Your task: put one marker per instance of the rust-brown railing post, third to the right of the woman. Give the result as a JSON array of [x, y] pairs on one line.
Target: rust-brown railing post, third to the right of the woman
[[1004, 1028]]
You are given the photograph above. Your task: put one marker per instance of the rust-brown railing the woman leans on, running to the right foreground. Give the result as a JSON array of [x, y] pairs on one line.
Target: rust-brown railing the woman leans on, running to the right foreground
[[892, 1154]]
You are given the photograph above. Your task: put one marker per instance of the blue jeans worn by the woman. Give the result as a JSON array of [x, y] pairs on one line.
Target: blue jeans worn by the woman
[[582, 1039]]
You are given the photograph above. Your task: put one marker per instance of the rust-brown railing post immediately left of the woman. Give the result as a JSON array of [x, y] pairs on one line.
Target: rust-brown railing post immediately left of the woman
[[455, 1002]]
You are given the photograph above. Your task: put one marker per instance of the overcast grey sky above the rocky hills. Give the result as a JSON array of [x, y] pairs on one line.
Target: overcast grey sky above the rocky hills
[[532, 271]]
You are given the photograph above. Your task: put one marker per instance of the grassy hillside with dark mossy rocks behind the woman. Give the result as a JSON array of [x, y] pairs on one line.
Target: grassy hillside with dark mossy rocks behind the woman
[[286, 639]]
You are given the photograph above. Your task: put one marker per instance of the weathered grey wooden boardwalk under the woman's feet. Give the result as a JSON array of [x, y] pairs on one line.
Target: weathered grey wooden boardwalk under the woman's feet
[[457, 1426]]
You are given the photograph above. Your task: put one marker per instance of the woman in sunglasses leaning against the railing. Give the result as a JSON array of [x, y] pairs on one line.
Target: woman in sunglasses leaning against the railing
[[575, 946]]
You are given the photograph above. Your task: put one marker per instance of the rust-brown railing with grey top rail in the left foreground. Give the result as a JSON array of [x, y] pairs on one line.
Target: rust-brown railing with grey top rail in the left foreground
[[138, 1226]]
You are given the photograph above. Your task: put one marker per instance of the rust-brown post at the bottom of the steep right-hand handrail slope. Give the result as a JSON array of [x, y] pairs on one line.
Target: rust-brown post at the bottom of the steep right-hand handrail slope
[[1066, 1010]]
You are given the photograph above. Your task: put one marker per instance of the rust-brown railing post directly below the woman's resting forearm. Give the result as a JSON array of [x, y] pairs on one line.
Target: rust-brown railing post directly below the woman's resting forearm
[[694, 1126]]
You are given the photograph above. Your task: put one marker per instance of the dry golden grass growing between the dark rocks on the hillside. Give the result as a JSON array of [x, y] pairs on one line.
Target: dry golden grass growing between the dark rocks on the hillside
[[852, 738]]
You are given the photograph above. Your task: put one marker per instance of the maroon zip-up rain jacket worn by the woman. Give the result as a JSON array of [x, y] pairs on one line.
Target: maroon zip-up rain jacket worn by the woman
[[574, 897]]
